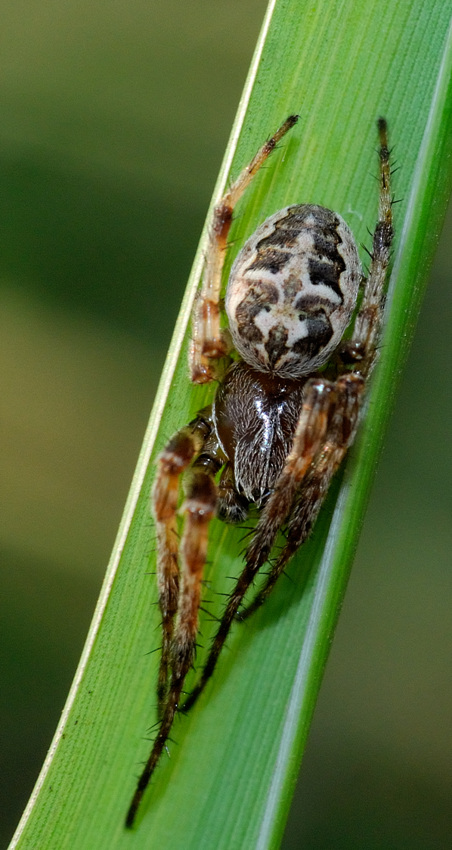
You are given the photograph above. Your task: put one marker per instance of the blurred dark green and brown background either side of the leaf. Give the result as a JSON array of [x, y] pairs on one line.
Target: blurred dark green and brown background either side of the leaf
[[114, 119]]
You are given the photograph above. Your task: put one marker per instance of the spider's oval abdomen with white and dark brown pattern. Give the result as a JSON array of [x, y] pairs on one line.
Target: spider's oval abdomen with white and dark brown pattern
[[292, 290]]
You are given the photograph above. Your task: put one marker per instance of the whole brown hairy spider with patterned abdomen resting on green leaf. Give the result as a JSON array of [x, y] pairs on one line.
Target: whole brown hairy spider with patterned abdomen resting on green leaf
[[278, 428]]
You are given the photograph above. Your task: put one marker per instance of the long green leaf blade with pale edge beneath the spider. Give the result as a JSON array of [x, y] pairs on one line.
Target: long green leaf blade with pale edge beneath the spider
[[229, 779]]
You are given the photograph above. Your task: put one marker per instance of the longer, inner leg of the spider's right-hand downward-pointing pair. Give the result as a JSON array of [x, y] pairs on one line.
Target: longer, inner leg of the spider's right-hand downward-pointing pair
[[309, 437]]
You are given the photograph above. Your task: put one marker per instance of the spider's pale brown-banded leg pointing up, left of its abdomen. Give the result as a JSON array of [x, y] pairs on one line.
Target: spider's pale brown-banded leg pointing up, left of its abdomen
[[208, 342]]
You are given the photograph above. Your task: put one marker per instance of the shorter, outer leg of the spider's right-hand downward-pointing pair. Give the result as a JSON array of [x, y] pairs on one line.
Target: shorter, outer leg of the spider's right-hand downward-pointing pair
[[341, 432]]
